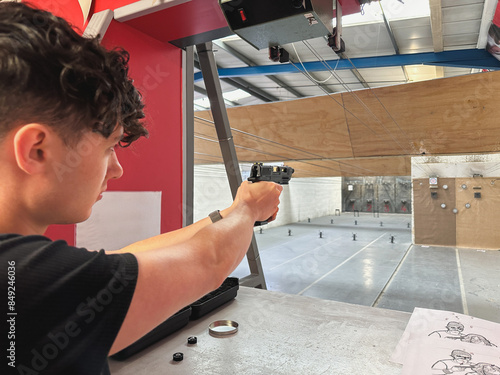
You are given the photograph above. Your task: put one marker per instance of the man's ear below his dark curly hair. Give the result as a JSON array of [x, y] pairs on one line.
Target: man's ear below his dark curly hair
[[30, 147]]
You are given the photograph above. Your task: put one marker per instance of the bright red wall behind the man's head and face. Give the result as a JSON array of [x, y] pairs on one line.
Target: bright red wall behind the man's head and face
[[153, 164]]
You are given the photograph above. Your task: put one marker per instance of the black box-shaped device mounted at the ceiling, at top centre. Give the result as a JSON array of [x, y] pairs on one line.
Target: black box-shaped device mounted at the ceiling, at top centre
[[266, 23]]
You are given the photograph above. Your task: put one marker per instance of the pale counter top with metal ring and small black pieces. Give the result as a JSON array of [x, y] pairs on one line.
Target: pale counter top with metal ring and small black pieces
[[279, 334]]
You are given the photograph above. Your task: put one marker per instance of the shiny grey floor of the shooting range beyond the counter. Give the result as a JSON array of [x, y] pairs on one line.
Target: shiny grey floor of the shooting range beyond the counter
[[372, 271]]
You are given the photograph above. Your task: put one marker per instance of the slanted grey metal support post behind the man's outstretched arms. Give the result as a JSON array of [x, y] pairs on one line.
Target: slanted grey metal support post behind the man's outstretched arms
[[214, 92]]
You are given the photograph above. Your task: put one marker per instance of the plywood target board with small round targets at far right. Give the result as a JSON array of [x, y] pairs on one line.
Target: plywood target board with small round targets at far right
[[475, 225]]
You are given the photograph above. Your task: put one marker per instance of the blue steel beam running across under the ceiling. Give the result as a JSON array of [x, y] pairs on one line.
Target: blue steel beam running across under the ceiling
[[467, 58]]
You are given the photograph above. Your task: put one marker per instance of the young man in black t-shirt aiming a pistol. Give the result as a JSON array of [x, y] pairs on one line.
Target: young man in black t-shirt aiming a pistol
[[67, 308]]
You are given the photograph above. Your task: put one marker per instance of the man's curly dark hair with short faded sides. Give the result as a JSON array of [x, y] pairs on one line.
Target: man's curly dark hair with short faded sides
[[50, 74]]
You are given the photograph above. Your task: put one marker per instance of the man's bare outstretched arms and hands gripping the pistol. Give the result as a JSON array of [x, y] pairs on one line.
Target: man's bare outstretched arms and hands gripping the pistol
[[194, 262]]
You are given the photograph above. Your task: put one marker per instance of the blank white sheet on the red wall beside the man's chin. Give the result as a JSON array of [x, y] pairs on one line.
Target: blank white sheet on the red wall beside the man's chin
[[119, 219]]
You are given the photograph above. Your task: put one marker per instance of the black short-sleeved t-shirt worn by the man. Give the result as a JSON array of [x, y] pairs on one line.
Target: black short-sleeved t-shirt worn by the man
[[62, 306]]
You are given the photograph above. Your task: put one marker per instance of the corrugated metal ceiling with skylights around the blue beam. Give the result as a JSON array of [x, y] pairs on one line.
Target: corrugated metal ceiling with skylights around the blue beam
[[414, 27]]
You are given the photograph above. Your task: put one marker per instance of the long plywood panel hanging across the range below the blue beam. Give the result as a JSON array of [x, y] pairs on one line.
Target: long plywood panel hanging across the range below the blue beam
[[366, 132]]
